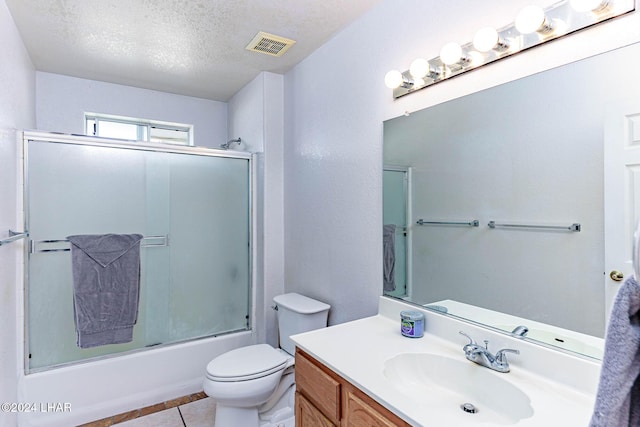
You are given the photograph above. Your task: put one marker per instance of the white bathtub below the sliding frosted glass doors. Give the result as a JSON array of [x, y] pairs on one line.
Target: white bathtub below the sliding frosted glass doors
[[91, 391]]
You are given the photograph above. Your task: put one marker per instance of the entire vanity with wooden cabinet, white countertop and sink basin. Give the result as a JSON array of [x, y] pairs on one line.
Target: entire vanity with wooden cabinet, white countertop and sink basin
[[365, 372]]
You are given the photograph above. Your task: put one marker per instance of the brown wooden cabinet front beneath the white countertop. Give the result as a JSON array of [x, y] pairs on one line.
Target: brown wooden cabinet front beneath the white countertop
[[325, 399]]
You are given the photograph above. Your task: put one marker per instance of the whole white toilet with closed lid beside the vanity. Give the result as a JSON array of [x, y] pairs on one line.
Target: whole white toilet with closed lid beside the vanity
[[254, 386]]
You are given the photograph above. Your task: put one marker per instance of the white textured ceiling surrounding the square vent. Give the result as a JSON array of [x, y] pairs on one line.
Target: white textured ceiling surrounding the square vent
[[188, 47]]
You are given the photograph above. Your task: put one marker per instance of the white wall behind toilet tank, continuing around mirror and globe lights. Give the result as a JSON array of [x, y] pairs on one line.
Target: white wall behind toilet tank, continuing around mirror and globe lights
[[336, 102]]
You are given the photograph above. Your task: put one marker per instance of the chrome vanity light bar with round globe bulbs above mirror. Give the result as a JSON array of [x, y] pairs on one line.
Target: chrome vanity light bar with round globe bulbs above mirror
[[532, 26]]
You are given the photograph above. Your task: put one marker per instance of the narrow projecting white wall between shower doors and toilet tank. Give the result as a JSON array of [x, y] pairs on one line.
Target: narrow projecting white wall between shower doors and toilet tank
[[256, 115]]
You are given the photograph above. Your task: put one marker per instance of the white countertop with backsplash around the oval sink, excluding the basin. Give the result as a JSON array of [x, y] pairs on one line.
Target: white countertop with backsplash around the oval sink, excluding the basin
[[357, 351]]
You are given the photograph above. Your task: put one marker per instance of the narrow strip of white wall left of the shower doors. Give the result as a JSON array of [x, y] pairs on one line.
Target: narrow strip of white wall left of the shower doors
[[17, 110]]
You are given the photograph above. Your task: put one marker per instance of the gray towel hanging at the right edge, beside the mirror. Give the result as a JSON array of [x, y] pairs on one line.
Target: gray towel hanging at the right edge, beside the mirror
[[618, 399]]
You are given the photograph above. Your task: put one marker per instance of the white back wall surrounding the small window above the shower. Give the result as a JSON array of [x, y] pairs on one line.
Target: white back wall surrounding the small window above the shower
[[61, 102]]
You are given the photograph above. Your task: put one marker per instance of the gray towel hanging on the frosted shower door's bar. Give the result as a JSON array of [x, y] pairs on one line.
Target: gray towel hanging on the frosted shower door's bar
[[106, 282]]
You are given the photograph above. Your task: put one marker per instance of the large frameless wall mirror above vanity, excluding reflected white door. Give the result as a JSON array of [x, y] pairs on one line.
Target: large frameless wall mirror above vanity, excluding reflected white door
[[528, 152]]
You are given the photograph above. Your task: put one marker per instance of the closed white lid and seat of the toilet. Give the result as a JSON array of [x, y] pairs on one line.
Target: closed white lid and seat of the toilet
[[246, 363]]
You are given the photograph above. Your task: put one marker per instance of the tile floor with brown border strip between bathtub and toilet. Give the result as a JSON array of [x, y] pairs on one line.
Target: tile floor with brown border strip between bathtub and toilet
[[196, 410]]
